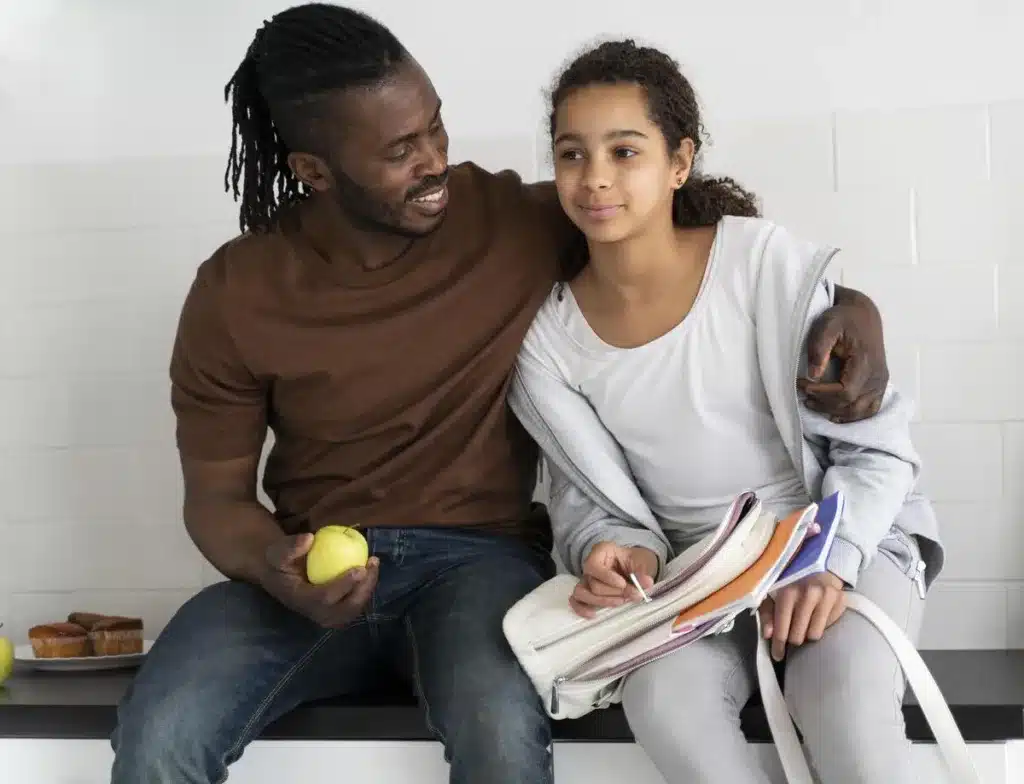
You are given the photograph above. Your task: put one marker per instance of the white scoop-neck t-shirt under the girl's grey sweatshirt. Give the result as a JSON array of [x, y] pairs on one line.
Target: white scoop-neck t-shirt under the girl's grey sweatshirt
[[690, 408]]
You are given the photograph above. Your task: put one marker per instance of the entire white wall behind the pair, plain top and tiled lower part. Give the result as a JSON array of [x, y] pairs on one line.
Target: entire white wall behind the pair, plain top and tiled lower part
[[871, 141]]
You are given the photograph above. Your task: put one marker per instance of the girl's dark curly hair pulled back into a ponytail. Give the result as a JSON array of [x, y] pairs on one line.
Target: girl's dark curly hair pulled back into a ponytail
[[673, 108]]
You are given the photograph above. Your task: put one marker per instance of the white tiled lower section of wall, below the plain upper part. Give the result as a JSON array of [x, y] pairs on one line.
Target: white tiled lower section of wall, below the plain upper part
[[90, 486]]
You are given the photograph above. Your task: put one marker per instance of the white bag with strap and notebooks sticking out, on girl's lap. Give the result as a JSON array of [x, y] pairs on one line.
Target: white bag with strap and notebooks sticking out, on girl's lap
[[578, 666]]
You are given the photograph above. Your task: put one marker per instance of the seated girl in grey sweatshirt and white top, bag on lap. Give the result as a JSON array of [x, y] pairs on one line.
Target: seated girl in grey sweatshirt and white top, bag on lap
[[661, 371]]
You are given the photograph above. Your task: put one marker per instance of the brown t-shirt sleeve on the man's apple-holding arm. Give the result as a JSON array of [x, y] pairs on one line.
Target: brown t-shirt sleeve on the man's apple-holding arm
[[221, 407]]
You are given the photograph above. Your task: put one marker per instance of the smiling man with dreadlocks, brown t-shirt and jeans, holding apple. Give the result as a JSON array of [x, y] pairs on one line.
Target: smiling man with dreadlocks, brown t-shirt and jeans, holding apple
[[370, 315]]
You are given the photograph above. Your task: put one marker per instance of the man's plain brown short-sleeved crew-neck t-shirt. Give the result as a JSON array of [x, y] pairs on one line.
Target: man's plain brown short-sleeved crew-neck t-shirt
[[386, 389]]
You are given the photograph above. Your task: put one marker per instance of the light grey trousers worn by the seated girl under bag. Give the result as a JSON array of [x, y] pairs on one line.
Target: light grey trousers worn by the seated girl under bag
[[844, 692]]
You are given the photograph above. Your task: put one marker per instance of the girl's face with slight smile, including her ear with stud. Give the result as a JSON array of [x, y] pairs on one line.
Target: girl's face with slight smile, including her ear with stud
[[613, 169]]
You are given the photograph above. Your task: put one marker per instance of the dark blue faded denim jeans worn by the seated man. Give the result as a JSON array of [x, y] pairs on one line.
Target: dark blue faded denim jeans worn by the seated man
[[234, 660]]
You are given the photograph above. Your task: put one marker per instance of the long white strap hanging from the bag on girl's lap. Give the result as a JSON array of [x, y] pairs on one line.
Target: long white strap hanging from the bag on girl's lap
[[941, 719]]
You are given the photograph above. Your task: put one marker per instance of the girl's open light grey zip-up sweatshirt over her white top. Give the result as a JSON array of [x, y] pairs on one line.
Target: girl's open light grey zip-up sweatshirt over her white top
[[593, 497]]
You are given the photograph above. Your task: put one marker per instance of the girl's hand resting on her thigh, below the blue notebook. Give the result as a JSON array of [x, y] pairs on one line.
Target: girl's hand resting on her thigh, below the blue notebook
[[802, 612]]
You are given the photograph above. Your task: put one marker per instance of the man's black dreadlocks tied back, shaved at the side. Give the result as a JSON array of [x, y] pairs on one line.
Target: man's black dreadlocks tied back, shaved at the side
[[295, 60]]
